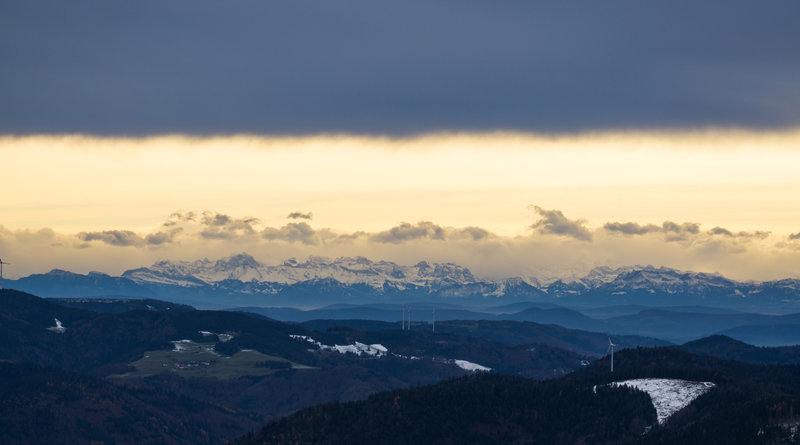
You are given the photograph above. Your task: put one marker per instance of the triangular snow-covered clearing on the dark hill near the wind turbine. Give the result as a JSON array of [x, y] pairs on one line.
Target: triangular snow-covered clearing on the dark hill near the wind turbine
[[668, 395]]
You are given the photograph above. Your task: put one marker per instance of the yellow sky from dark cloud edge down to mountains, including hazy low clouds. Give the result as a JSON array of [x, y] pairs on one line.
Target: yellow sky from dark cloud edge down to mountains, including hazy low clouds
[[742, 184]]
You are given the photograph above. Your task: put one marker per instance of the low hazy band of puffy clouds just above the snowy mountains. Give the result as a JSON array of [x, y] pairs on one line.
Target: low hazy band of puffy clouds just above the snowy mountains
[[555, 246]]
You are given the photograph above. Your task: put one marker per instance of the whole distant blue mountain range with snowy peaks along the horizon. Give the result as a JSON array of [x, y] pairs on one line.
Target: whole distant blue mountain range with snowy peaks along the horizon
[[317, 281]]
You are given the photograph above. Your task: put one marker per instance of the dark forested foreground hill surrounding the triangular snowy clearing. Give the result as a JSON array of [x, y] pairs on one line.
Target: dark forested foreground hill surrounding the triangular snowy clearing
[[748, 404]]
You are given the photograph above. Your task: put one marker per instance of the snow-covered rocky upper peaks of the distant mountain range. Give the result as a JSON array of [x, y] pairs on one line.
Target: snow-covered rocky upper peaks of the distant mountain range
[[447, 277]]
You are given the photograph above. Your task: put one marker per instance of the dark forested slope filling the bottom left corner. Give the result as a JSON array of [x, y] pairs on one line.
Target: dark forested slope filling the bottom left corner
[[48, 405]]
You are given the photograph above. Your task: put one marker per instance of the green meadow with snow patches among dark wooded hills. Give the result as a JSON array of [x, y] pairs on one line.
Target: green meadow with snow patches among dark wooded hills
[[190, 359]]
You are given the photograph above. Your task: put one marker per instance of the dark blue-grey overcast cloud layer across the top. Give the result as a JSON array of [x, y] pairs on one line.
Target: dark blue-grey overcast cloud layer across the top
[[371, 66]]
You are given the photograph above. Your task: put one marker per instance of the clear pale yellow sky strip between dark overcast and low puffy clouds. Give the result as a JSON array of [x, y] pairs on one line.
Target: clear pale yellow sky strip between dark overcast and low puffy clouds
[[238, 174]]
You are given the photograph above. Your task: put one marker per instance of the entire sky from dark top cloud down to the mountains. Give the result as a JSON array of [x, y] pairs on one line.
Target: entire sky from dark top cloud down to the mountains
[[518, 139]]
